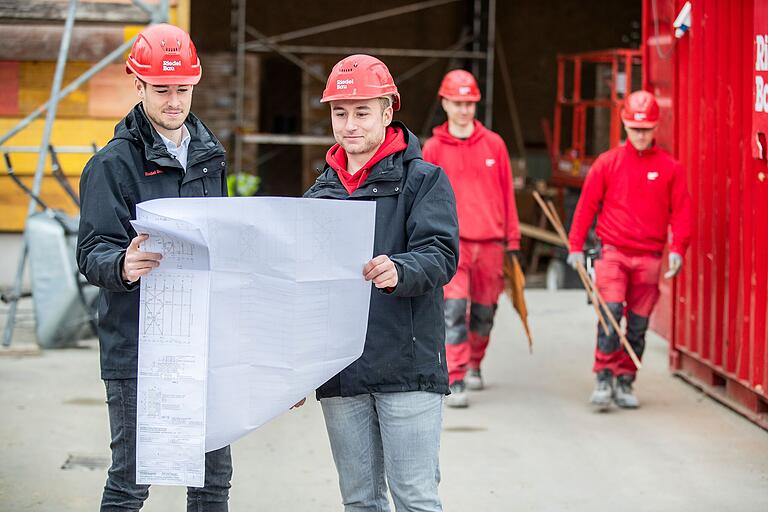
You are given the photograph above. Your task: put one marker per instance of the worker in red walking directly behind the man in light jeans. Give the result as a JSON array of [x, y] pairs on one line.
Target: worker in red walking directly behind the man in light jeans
[[477, 164]]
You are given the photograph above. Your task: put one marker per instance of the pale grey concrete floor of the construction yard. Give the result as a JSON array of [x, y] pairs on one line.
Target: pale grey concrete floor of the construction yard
[[528, 442]]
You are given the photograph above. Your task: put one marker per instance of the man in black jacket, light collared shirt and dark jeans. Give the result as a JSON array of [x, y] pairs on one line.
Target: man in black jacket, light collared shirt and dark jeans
[[159, 150]]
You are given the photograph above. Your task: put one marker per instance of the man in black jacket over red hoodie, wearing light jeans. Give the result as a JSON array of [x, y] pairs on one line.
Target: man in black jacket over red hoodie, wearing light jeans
[[384, 411]]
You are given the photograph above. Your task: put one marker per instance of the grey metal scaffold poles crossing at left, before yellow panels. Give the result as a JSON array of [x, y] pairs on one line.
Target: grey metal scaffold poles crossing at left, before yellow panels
[[157, 14]]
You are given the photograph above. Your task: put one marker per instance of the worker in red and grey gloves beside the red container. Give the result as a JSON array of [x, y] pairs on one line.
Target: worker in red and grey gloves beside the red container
[[637, 191]]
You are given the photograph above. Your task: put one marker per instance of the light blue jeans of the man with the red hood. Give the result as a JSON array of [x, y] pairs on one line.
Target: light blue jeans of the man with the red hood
[[385, 438]]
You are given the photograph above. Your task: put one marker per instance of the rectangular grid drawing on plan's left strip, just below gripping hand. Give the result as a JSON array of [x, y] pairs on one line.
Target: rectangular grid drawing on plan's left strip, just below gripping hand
[[167, 305]]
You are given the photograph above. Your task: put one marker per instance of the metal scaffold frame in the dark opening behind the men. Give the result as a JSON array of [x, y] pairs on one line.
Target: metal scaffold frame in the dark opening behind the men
[[481, 36]]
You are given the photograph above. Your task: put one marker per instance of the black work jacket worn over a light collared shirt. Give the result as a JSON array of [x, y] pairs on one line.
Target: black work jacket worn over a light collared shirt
[[134, 166]]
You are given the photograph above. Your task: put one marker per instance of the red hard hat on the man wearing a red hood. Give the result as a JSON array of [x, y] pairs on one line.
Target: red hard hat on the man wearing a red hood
[[360, 77]]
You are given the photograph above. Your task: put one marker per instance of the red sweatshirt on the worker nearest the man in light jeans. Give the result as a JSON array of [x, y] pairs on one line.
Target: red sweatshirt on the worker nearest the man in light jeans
[[481, 176]]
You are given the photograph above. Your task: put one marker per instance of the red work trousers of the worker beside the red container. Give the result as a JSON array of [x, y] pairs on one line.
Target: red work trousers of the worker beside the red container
[[629, 283]]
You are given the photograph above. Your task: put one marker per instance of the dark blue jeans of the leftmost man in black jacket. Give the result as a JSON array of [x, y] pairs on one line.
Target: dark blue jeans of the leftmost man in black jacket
[[121, 492]]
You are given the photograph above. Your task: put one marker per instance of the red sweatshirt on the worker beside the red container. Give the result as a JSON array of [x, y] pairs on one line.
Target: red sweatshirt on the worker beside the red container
[[636, 196]]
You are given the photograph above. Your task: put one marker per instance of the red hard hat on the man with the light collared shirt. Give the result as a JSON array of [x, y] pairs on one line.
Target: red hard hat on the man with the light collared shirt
[[164, 55]]
